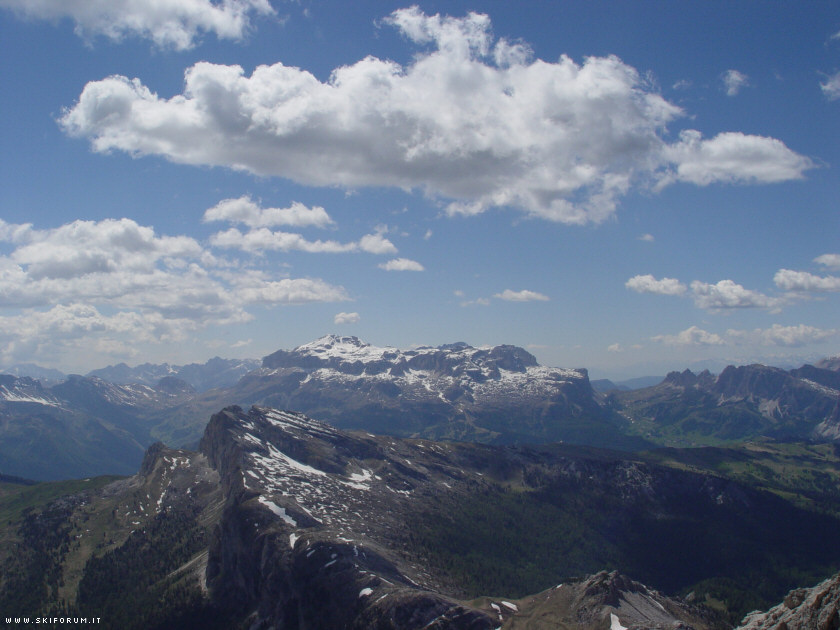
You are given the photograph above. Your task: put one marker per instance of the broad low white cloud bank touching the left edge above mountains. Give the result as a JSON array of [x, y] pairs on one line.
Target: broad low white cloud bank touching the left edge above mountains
[[111, 280]]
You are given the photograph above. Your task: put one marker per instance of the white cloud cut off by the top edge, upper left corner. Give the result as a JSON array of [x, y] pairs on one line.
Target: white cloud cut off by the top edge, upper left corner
[[168, 23]]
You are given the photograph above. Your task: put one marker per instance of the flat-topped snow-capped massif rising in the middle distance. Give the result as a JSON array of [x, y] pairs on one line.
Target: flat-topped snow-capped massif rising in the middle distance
[[455, 391]]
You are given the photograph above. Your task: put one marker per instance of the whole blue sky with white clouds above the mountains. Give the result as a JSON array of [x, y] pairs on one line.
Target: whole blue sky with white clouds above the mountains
[[628, 187]]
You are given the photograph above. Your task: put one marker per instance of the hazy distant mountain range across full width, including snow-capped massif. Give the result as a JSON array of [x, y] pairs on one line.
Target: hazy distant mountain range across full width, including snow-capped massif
[[93, 425]]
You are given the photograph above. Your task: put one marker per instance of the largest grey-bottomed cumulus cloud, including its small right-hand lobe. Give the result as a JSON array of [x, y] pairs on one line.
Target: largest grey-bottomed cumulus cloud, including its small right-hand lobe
[[472, 121]]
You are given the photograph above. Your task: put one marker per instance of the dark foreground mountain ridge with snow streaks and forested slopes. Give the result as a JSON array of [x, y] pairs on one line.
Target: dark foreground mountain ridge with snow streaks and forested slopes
[[282, 521]]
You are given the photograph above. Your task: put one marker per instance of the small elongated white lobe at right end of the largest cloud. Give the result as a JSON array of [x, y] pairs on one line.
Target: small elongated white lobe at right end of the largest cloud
[[732, 157]]
